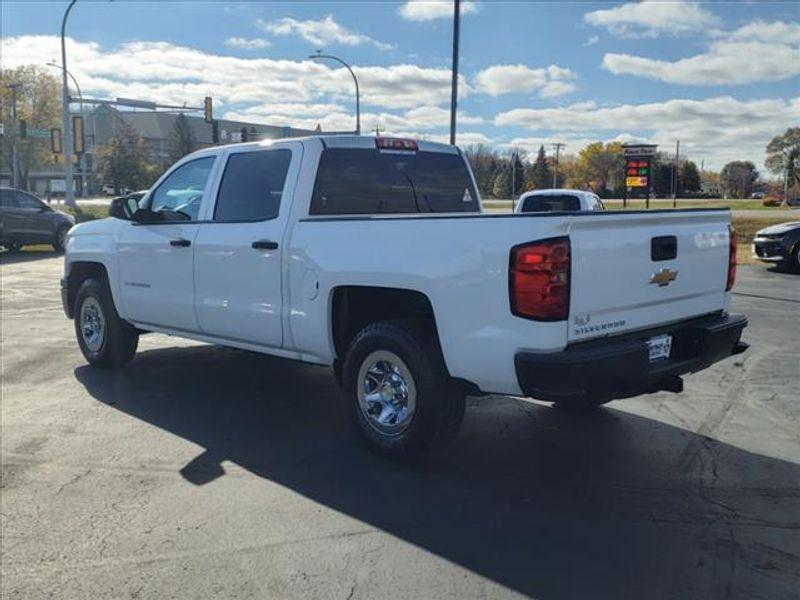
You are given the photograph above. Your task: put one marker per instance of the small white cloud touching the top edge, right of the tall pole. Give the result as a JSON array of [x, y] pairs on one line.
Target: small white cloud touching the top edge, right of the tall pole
[[651, 18]]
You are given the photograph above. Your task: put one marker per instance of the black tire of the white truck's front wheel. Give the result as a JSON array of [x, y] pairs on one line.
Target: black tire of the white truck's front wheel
[[119, 340]]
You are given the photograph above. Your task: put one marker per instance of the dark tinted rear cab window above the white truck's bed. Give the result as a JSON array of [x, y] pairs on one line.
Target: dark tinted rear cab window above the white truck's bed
[[358, 181]]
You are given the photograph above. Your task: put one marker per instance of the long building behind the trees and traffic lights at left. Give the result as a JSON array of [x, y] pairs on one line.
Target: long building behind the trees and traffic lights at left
[[104, 121]]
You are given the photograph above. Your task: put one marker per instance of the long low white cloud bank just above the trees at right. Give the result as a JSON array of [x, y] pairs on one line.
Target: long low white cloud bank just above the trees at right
[[715, 129]]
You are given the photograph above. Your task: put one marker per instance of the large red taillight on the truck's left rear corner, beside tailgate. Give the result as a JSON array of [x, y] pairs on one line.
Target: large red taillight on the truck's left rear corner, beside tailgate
[[539, 280]]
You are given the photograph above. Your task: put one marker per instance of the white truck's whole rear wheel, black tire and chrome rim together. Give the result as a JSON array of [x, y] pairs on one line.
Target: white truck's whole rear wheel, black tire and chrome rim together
[[397, 390]]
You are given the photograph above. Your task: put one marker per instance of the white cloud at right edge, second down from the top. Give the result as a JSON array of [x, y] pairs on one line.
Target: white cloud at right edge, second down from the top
[[756, 52]]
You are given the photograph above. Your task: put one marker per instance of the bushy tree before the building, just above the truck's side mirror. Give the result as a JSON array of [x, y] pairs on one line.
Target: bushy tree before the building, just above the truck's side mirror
[[125, 161]]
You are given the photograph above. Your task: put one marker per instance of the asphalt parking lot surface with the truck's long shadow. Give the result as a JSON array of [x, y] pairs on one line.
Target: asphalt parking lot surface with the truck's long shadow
[[202, 472]]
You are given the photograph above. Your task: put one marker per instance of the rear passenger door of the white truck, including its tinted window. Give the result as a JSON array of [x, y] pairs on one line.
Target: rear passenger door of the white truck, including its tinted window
[[237, 261]]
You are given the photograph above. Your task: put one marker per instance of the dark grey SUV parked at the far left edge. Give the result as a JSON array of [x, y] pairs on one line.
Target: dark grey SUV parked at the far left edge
[[25, 219]]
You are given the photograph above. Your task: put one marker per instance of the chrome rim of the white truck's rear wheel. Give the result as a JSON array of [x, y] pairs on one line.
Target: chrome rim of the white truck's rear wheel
[[387, 395]]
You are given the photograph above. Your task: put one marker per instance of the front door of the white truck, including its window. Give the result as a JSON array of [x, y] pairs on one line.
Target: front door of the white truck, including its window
[[156, 260]]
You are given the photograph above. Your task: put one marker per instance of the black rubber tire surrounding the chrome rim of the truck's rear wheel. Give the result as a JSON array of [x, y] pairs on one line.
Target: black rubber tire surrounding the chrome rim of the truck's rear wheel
[[439, 403]]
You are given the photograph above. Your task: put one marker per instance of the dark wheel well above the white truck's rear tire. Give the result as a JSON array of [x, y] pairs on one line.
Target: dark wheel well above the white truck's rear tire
[[355, 307]]
